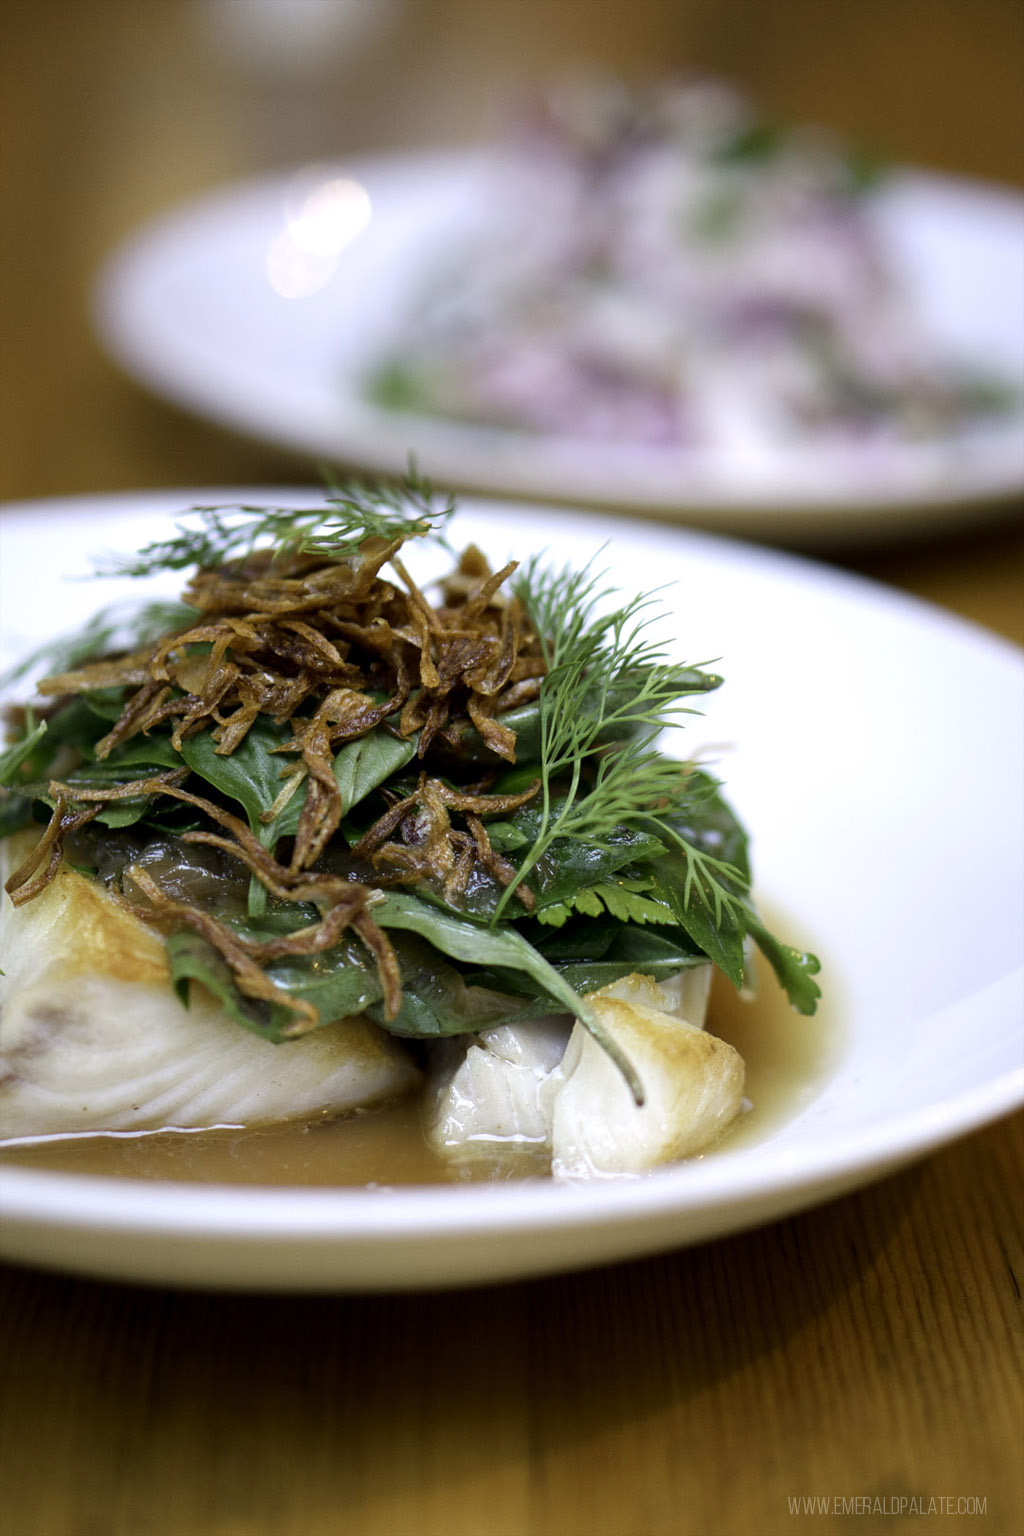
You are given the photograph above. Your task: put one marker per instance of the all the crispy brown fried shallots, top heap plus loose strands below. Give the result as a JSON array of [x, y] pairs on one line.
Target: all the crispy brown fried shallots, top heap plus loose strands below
[[334, 650]]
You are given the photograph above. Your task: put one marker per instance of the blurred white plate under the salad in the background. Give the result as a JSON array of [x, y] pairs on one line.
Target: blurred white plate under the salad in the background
[[187, 306]]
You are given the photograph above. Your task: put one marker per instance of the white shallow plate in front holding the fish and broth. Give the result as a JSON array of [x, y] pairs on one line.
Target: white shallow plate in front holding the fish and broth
[[879, 764]]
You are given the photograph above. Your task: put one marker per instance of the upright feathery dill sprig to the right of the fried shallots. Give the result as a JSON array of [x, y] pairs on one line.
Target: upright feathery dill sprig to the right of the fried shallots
[[600, 766]]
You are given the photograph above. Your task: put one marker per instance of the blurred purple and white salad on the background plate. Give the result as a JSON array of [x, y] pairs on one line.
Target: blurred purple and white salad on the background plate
[[673, 270]]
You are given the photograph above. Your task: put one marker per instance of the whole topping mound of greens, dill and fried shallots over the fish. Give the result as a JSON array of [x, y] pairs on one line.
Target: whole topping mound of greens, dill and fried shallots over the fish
[[334, 793]]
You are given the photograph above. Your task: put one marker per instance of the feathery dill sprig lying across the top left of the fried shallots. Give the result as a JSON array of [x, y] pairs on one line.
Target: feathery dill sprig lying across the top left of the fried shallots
[[354, 512]]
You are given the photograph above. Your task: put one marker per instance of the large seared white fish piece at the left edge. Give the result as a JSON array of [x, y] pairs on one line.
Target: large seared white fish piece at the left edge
[[94, 1039]]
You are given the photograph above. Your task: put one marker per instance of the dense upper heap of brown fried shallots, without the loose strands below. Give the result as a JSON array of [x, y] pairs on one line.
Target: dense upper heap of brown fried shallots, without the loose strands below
[[283, 638]]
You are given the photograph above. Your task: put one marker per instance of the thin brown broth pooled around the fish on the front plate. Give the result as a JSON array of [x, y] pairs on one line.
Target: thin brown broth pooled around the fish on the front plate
[[787, 1059]]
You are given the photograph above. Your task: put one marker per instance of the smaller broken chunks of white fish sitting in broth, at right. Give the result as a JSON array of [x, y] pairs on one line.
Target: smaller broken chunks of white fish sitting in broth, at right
[[549, 1084]]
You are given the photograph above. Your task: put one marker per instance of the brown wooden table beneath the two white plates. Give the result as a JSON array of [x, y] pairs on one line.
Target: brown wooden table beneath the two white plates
[[867, 1354]]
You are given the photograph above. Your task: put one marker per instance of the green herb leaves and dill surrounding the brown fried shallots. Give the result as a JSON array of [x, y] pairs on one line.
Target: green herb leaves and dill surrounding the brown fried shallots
[[632, 861]]
